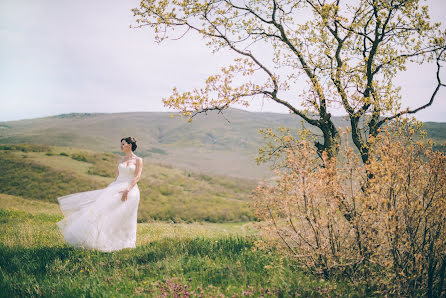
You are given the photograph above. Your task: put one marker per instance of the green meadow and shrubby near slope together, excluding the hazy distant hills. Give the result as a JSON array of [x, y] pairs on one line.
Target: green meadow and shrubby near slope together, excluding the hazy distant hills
[[209, 246]]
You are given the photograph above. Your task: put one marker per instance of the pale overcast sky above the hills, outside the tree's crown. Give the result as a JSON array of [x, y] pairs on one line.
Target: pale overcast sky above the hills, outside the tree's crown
[[60, 56]]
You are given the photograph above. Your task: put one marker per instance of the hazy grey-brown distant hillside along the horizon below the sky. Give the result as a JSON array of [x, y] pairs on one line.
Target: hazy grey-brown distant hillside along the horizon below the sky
[[209, 144]]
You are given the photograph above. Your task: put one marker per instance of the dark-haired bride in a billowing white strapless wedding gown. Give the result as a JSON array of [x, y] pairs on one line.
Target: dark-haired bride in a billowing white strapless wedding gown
[[105, 219]]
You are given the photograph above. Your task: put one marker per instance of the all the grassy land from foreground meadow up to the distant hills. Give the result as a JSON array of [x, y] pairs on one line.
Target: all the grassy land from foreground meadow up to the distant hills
[[196, 234]]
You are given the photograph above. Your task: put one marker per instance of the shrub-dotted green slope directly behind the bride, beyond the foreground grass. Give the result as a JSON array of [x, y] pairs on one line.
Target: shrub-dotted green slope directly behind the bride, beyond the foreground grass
[[167, 193]]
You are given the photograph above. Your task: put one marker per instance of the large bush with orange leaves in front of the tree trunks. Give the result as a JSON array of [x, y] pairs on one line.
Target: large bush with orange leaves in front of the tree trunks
[[383, 224]]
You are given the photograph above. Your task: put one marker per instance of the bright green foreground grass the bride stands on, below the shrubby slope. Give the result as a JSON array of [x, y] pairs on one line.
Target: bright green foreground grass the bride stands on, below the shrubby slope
[[174, 260]]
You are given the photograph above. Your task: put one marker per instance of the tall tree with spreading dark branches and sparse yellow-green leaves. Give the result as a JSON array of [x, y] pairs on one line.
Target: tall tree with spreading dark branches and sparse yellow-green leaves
[[349, 52]]
